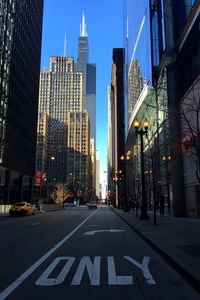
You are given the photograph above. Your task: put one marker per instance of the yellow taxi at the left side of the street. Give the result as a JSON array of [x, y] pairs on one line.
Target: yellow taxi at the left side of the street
[[22, 208]]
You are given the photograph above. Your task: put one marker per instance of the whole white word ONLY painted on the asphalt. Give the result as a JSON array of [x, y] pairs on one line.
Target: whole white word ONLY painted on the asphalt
[[93, 269]]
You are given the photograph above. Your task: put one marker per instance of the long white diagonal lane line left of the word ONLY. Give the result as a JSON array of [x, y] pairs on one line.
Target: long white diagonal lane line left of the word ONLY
[[28, 272]]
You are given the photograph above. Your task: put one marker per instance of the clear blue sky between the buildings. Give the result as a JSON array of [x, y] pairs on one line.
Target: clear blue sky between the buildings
[[104, 20]]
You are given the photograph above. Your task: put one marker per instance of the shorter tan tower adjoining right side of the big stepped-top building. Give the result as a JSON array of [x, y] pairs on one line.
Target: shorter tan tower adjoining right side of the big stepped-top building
[[78, 152]]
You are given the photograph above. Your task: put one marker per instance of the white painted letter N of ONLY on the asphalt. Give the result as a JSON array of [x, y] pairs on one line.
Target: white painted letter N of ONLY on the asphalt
[[92, 268]]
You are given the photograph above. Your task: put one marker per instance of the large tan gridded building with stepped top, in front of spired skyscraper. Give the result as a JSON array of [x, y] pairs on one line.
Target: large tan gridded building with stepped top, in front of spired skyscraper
[[61, 91]]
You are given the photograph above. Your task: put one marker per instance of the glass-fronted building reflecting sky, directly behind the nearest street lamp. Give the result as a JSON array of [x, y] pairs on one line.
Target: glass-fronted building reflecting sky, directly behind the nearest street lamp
[[144, 38]]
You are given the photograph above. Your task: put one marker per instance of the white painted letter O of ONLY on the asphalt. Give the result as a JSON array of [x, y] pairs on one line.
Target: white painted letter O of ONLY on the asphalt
[[44, 279]]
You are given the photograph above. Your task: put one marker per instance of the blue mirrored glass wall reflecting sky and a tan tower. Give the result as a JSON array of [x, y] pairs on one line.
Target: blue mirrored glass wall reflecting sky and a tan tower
[[137, 53]]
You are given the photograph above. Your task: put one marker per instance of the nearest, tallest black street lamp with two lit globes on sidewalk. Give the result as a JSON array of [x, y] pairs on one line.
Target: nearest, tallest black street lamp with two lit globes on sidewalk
[[141, 132]]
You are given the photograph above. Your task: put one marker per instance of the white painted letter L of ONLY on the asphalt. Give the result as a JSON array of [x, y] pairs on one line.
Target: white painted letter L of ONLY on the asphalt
[[113, 279]]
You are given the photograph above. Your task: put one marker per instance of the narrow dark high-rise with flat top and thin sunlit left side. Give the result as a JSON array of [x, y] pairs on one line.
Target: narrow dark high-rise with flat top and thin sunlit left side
[[116, 174]]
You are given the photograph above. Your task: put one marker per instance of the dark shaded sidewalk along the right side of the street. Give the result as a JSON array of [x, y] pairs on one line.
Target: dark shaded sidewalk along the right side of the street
[[177, 239]]
